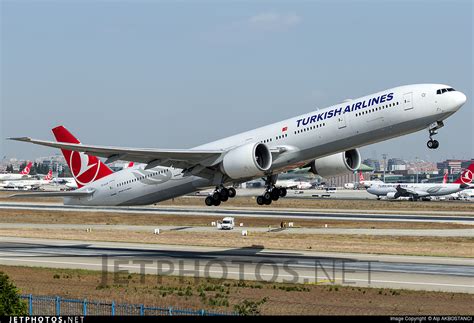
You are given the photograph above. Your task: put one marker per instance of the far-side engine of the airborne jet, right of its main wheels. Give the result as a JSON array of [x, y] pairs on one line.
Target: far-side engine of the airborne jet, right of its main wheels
[[338, 164]]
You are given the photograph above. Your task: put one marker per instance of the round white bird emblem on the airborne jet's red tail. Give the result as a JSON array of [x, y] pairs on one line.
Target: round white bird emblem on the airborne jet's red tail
[[84, 168]]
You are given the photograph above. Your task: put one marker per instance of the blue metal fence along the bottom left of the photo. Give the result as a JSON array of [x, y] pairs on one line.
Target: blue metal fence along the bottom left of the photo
[[55, 305]]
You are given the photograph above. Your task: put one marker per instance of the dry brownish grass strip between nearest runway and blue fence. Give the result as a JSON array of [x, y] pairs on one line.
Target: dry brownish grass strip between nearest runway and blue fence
[[214, 294]]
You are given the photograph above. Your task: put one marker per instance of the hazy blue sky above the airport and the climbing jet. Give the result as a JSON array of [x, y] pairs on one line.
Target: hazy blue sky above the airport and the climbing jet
[[178, 74]]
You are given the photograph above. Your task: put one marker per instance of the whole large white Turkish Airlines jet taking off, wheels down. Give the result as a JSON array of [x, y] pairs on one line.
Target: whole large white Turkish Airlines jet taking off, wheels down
[[325, 140]]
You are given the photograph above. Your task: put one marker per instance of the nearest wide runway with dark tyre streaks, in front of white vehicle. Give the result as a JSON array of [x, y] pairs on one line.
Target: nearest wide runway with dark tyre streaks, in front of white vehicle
[[407, 272]]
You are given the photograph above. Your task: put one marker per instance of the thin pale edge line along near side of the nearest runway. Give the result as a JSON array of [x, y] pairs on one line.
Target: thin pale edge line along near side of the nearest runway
[[239, 273]]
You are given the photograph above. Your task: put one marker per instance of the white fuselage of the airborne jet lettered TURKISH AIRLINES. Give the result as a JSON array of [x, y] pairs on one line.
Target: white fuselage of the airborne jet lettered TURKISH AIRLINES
[[370, 119]]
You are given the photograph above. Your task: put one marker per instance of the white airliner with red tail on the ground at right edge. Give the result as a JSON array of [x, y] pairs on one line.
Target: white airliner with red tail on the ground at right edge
[[423, 190]]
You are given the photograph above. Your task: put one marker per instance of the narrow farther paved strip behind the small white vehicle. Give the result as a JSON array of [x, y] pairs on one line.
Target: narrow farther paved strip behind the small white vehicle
[[443, 217]]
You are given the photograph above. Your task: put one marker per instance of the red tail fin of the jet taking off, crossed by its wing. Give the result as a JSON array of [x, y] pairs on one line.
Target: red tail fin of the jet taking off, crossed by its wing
[[85, 168]]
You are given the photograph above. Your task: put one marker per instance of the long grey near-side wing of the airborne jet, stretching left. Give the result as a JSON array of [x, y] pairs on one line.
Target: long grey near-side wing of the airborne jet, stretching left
[[180, 158]]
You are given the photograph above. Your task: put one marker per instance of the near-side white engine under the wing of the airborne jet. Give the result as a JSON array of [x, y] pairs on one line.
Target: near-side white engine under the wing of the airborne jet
[[246, 161]]
